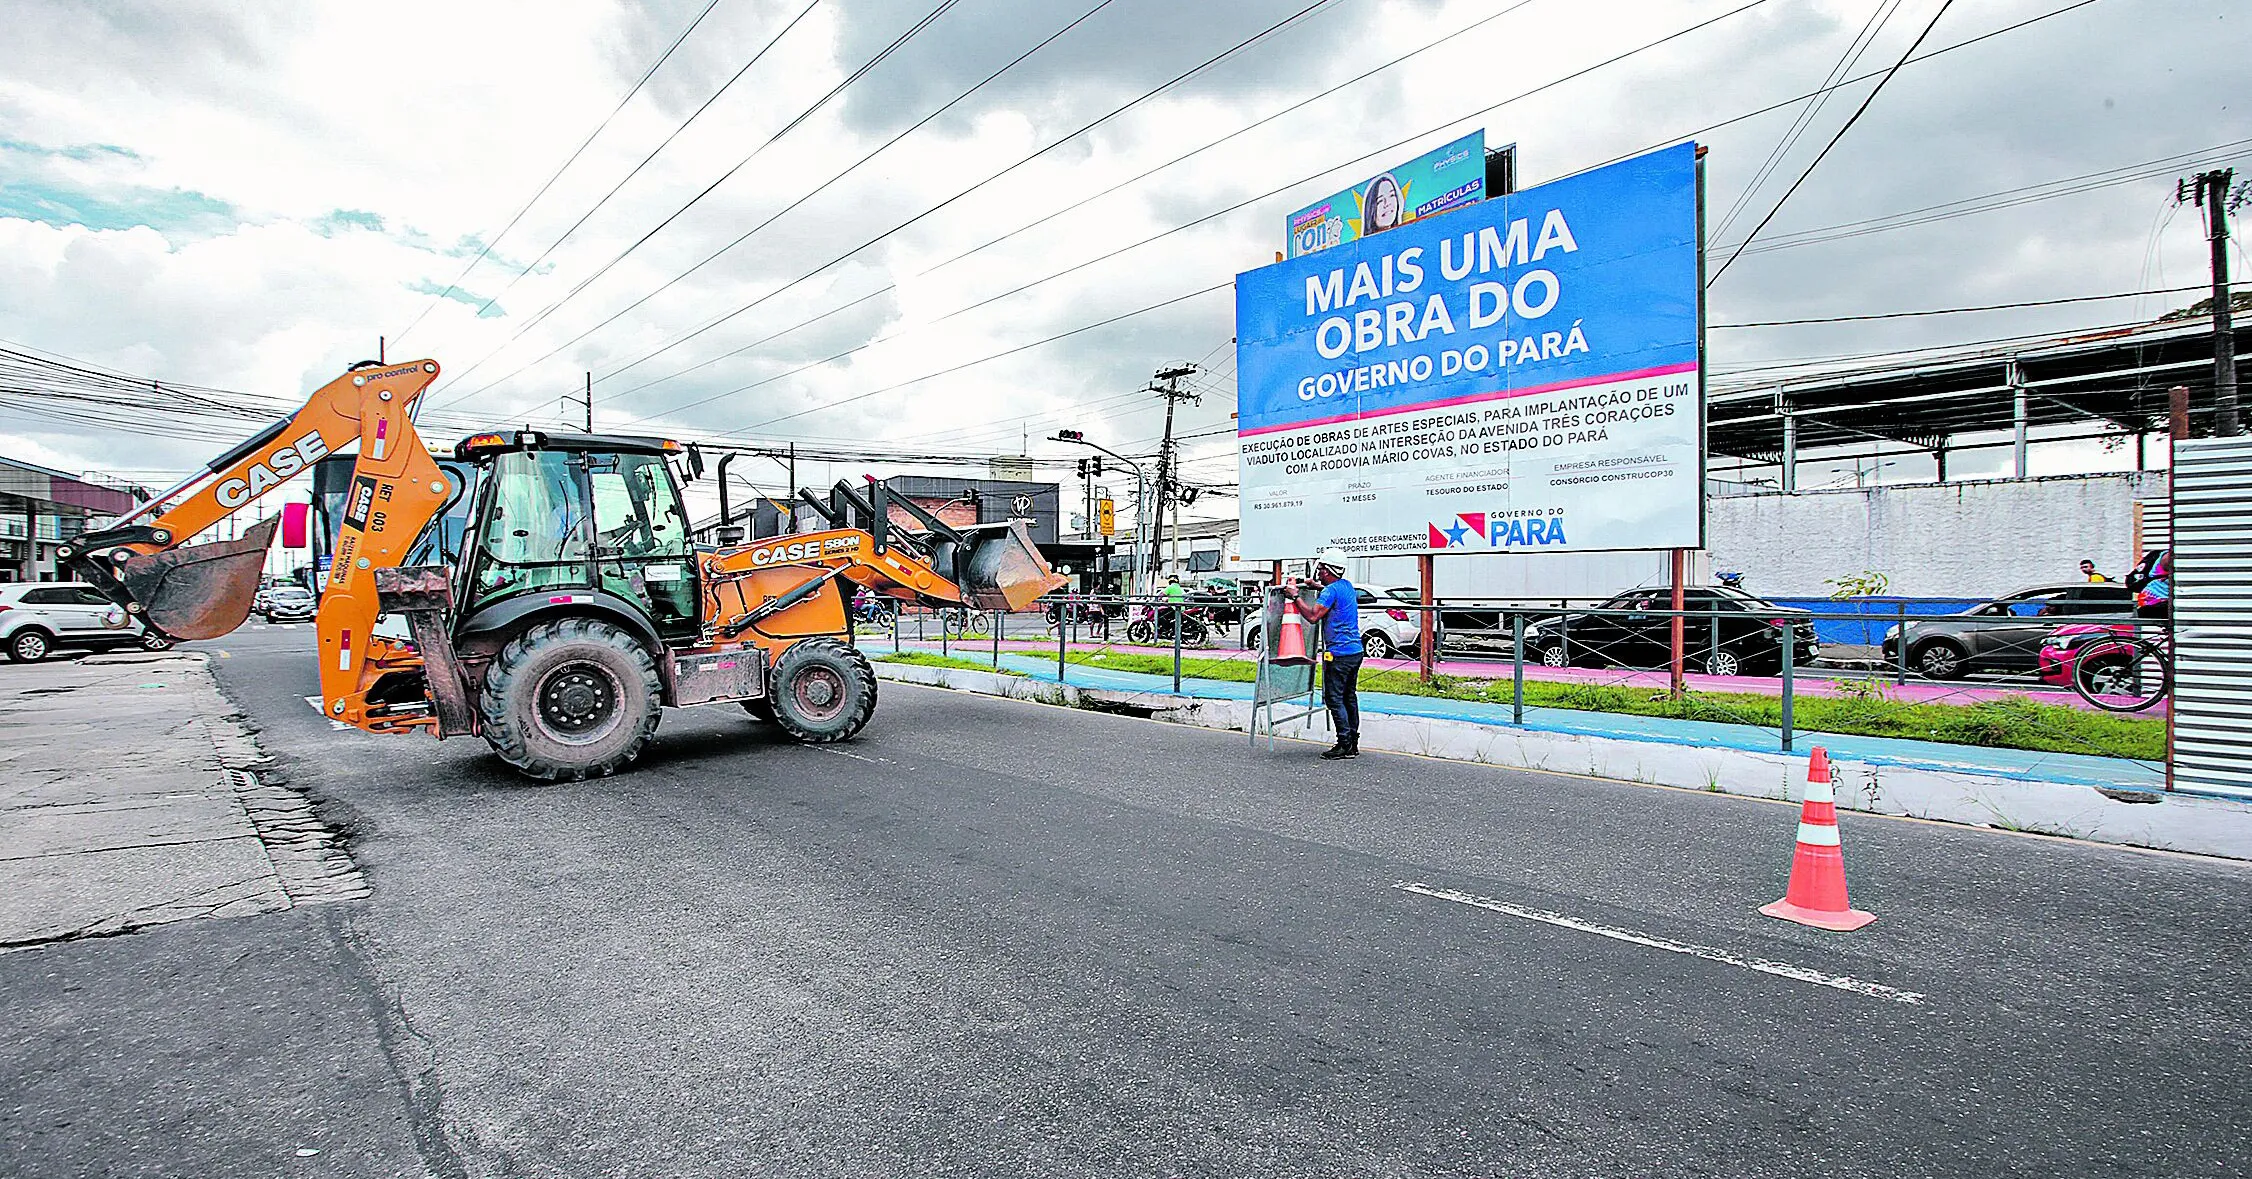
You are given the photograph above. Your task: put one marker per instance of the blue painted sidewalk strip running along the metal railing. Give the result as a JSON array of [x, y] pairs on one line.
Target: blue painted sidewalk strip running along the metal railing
[[1913, 755]]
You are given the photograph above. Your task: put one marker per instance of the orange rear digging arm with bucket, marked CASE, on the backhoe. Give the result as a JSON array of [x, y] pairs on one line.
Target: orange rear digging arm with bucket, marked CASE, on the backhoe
[[206, 591]]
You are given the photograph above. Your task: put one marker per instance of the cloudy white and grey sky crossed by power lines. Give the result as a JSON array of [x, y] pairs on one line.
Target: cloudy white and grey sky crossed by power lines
[[247, 197]]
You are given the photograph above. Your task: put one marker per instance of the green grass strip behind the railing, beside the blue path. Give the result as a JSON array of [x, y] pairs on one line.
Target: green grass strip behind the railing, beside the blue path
[[2005, 723]]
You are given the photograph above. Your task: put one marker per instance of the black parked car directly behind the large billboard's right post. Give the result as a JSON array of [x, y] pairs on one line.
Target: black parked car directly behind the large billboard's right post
[[1731, 633]]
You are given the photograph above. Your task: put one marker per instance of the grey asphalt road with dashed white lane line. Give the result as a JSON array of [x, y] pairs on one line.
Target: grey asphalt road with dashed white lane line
[[1008, 939]]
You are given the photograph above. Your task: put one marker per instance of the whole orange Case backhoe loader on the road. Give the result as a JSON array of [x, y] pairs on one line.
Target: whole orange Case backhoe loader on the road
[[551, 591]]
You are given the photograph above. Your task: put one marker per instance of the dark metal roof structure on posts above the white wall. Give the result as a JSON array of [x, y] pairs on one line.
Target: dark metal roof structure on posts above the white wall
[[2111, 379]]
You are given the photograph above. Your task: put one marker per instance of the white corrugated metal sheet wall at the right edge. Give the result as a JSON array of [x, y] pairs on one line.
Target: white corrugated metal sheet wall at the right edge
[[2213, 615]]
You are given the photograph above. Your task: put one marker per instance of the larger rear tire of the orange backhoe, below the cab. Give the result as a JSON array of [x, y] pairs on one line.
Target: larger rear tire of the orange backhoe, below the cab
[[571, 701]]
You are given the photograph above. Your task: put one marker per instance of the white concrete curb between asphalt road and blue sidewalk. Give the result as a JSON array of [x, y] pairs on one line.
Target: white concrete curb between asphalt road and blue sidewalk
[[2168, 822]]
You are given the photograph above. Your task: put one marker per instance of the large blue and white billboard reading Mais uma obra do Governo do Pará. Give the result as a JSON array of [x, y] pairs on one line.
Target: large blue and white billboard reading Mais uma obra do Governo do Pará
[[1521, 375]]
